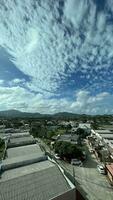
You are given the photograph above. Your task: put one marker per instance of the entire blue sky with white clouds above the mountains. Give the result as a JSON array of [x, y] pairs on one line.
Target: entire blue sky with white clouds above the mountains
[[56, 56]]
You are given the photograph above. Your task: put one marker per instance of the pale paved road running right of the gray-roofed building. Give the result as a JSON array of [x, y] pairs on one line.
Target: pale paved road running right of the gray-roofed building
[[91, 181]]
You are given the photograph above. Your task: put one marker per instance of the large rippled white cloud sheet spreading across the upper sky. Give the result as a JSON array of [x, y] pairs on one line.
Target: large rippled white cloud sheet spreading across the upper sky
[[42, 47]]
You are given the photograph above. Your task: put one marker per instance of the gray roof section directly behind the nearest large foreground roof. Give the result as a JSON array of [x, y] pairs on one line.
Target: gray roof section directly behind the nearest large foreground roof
[[21, 156]]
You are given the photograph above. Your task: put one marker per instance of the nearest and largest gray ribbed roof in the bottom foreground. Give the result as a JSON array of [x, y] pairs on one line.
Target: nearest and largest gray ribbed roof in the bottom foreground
[[36, 183]]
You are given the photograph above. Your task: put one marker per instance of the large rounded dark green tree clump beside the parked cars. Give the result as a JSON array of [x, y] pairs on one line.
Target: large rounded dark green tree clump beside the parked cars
[[67, 150]]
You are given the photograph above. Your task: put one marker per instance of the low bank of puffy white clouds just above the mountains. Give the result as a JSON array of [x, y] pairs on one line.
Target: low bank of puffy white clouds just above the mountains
[[24, 100]]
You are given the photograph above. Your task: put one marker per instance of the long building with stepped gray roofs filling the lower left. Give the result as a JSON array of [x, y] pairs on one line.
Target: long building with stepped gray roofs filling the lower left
[[28, 174]]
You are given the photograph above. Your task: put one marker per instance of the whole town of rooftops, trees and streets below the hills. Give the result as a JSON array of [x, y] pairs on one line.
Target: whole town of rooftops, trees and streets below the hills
[[76, 154]]
